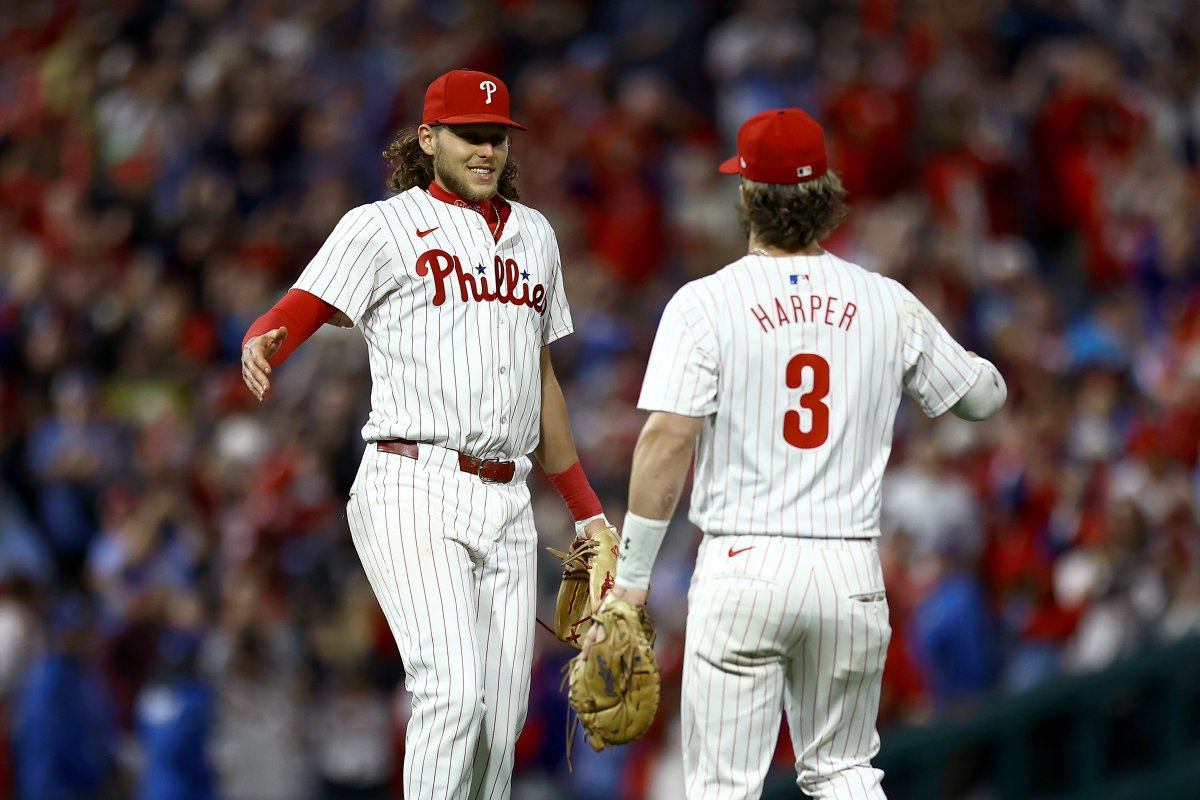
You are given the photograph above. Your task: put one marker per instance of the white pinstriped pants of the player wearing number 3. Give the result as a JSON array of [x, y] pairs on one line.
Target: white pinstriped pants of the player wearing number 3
[[784, 625]]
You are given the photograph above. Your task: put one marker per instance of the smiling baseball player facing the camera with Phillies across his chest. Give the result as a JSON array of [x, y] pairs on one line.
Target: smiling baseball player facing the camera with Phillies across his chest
[[459, 291]]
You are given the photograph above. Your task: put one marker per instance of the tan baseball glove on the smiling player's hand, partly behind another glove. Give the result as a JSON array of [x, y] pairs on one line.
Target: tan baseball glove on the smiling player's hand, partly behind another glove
[[589, 573]]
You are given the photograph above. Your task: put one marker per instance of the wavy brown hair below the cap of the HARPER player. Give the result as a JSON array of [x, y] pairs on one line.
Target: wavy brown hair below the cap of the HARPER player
[[793, 216]]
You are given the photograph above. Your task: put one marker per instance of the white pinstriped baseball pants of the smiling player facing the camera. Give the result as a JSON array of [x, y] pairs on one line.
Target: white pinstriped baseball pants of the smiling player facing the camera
[[452, 563]]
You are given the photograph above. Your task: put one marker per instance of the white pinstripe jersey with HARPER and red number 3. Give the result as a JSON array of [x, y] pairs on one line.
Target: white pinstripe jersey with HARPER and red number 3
[[797, 364]]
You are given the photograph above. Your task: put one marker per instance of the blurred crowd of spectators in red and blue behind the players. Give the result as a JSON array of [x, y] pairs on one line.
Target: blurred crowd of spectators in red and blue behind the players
[[182, 612]]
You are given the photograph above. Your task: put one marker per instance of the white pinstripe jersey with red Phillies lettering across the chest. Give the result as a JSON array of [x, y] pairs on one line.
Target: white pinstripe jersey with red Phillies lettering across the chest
[[454, 321]]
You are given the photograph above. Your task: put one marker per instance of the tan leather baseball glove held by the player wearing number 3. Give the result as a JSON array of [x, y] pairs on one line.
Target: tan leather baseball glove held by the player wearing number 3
[[615, 693]]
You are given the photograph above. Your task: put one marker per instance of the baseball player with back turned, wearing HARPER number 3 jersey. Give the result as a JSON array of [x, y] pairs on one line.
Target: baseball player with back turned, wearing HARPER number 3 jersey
[[784, 372]]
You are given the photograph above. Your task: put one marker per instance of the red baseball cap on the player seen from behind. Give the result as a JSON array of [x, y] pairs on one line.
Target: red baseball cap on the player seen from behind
[[781, 146]]
